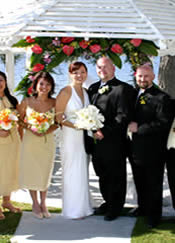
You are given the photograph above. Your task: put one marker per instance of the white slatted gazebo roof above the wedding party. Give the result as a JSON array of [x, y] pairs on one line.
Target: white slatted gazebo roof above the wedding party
[[145, 19]]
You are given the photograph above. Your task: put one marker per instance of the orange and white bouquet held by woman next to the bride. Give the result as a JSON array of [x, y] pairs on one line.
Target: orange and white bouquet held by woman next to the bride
[[39, 122]]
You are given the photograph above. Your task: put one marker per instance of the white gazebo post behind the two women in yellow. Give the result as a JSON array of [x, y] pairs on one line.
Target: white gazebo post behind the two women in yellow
[[10, 69]]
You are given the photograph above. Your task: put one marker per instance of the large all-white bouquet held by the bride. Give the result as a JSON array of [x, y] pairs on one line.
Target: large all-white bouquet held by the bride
[[89, 118]]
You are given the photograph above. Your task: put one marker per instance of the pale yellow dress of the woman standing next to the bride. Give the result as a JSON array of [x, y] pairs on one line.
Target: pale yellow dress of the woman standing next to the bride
[[36, 160]]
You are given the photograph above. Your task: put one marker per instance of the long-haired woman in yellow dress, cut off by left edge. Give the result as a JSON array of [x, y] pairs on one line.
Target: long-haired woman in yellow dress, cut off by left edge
[[9, 151]]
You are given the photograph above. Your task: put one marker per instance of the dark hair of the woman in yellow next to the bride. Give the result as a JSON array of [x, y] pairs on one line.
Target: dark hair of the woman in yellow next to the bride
[[46, 76]]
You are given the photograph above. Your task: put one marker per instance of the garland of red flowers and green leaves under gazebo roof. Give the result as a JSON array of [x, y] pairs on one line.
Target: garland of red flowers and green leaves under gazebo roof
[[49, 52]]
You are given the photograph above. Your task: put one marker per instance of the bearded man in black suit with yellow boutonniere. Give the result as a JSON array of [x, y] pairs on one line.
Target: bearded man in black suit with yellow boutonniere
[[153, 117]]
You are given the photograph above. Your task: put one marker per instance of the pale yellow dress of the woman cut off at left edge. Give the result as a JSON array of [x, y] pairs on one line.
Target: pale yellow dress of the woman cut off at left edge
[[9, 157]]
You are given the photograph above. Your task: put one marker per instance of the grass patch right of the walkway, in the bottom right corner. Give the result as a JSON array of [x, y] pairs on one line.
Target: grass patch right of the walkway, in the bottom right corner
[[163, 233]]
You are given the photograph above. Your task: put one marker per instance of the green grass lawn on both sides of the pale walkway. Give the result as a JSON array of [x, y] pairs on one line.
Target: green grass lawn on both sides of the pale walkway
[[164, 233]]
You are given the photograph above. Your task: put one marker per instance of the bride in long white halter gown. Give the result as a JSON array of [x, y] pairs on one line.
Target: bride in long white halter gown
[[76, 199]]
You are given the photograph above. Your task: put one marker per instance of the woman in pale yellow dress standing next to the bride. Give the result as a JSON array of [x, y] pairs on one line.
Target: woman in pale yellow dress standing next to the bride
[[38, 149]]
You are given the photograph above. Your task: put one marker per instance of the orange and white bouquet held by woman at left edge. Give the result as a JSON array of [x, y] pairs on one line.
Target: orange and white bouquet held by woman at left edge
[[8, 118]]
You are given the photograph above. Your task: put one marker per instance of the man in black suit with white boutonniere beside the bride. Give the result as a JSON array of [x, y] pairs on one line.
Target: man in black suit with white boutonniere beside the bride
[[115, 101]]
